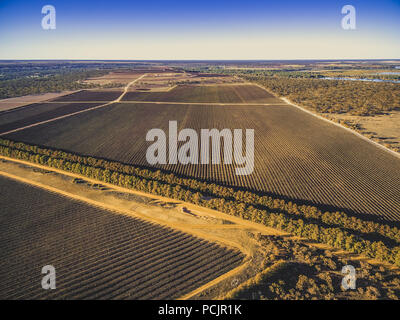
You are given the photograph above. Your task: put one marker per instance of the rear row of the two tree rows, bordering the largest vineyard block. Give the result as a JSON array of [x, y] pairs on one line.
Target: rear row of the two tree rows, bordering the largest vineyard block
[[306, 212]]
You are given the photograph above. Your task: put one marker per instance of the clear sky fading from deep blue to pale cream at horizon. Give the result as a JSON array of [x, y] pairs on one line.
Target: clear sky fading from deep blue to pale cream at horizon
[[200, 30]]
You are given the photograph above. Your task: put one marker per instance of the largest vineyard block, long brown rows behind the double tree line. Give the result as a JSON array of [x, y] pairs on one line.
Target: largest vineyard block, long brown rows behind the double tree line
[[297, 156]]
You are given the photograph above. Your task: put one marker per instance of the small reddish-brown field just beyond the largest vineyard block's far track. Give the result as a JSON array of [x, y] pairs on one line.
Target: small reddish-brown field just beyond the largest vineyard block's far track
[[206, 94]]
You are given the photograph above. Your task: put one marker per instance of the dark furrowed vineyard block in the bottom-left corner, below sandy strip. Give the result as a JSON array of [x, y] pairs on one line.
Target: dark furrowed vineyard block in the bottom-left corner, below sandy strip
[[97, 254]]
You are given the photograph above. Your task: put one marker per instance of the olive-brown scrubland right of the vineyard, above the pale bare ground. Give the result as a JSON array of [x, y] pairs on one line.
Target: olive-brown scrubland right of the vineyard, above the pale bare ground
[[335, 96]]
